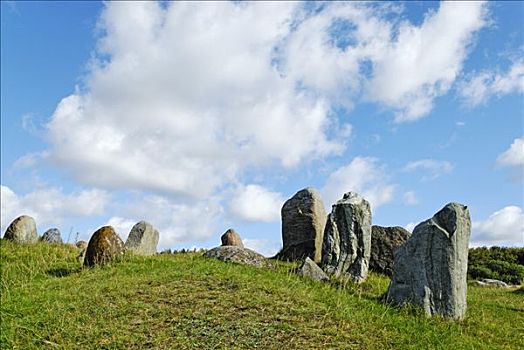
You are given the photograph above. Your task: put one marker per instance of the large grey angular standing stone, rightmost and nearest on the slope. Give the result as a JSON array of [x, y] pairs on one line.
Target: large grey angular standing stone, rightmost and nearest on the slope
[[430, 269]]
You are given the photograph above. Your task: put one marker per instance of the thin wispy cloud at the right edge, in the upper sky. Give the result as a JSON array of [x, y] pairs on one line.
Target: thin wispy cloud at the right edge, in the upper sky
[[480, 87]]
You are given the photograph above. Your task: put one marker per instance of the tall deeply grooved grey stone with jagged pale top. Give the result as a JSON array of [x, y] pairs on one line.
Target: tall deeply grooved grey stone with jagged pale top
[[347, 238]]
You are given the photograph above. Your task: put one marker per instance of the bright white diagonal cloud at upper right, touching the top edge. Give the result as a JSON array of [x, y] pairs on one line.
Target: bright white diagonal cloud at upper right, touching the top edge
[[423, 62]]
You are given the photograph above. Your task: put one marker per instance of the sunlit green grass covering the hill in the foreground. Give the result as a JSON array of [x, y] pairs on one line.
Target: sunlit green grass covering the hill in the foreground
[[185, 301]]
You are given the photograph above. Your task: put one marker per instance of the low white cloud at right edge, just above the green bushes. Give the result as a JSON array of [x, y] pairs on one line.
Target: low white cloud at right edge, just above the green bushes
[[504, 227]]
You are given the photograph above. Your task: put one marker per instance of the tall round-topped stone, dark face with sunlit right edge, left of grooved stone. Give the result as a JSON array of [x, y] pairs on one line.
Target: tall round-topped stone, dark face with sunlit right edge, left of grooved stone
[[303, 221]]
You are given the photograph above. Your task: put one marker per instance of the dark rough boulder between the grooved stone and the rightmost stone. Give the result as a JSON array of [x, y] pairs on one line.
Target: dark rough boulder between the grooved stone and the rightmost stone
[[384, 243]]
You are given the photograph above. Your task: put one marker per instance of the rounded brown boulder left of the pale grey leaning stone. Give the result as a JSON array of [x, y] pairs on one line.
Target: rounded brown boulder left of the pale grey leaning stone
[[103, 247]]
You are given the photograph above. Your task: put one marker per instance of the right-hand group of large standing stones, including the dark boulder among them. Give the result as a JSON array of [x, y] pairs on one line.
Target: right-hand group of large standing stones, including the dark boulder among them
[[428, 268]]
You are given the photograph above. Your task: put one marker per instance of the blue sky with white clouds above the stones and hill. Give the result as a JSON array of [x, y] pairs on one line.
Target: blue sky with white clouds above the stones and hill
[[203, 116]]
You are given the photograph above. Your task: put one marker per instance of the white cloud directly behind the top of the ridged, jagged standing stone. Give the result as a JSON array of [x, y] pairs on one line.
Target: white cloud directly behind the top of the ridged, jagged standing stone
[[364, 175]]
